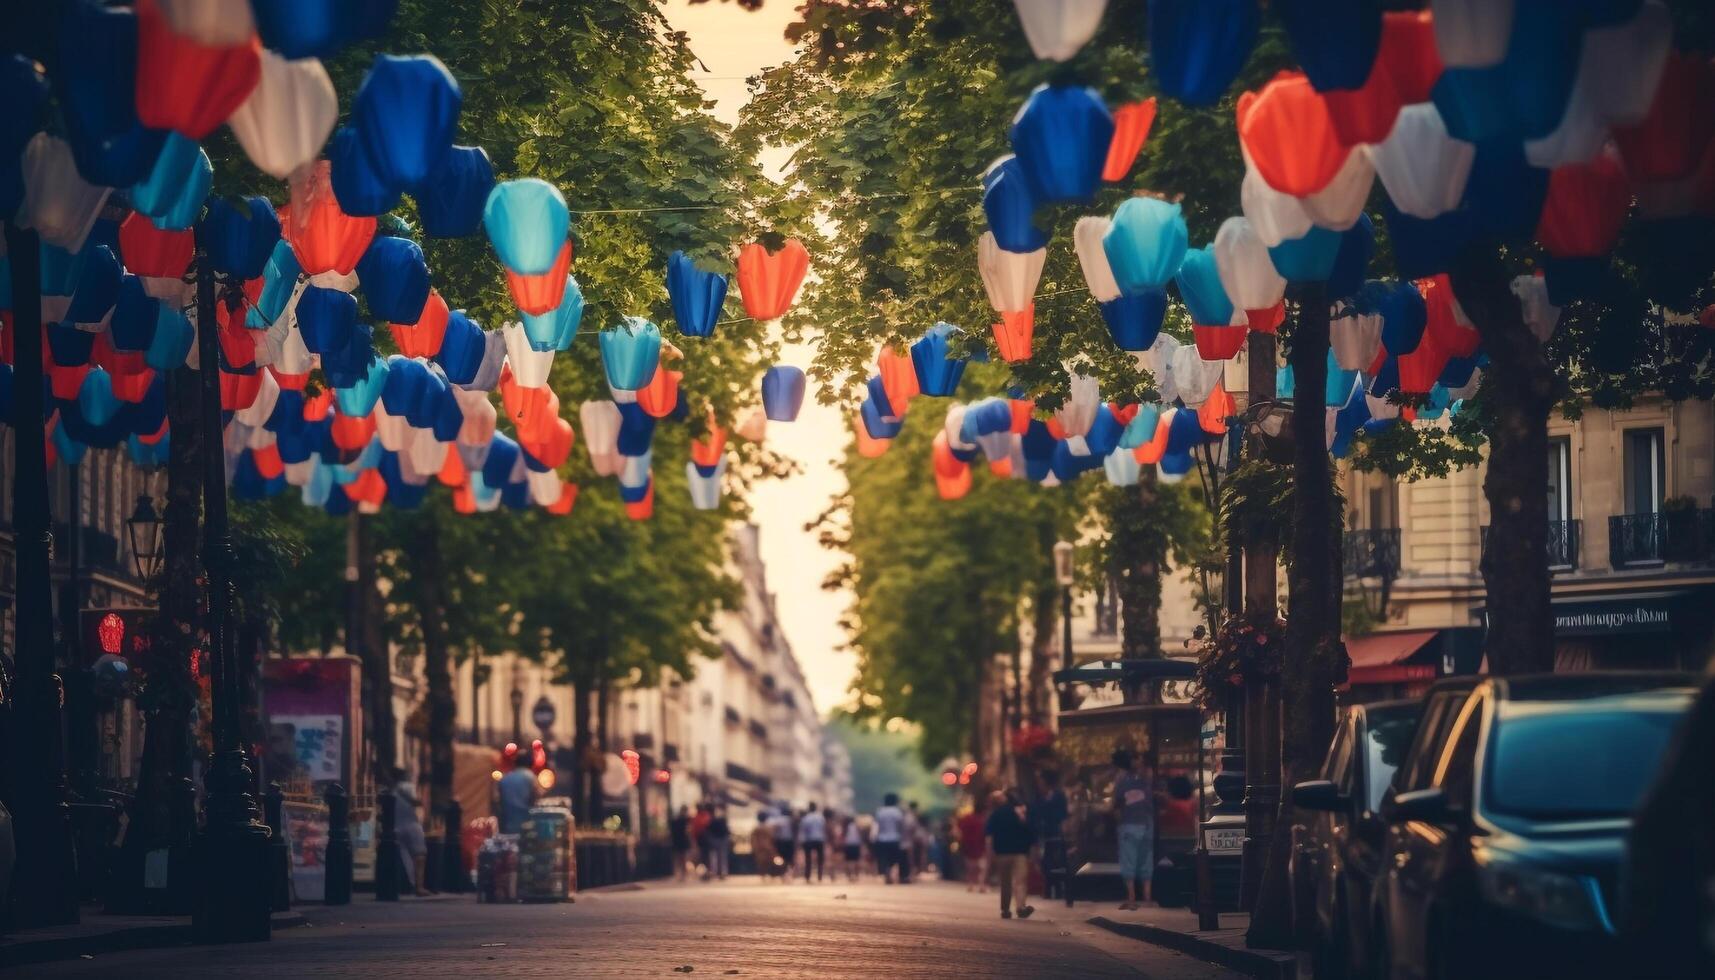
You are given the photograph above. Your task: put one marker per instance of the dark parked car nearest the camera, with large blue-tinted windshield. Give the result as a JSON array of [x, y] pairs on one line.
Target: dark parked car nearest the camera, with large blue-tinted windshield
[[1505, 861]]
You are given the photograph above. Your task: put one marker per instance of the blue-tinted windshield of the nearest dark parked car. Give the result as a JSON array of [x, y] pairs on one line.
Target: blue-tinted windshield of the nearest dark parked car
[[1574, 761]]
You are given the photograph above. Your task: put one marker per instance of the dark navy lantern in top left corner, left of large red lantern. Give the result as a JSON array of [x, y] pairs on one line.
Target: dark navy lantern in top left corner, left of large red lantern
[[99, 100]]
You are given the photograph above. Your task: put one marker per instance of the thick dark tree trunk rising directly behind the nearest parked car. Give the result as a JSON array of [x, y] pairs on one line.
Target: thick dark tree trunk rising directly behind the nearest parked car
[[1520, 636]]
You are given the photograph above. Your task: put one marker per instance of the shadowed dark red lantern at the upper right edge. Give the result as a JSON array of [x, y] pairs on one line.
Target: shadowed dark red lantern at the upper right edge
[[1670, 143]]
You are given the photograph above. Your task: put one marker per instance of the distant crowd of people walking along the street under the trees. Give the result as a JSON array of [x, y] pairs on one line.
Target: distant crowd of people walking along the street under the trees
[[1001, 840]]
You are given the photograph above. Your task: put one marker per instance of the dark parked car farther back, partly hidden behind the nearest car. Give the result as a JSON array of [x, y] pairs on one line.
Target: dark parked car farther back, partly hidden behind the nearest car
[[1339, 837]]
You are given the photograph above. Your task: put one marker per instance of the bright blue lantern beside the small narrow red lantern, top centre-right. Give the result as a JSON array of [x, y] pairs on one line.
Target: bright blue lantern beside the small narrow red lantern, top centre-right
[[1061, 140]]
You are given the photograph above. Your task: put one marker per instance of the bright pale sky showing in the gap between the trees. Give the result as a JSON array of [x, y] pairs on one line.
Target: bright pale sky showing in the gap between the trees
[[735, 44]]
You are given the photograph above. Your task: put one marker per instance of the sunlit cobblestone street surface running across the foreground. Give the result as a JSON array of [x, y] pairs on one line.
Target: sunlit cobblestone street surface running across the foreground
[[735, 929]]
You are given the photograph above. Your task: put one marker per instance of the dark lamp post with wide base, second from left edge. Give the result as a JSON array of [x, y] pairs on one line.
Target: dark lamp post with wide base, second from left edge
[[234, 902]]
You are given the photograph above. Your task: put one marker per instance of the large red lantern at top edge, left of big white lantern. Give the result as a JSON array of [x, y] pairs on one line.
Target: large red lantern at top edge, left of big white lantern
[[188, 87]]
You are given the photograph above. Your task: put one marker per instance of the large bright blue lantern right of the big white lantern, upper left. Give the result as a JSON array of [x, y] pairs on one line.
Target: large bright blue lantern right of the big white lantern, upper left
[[407, 112]]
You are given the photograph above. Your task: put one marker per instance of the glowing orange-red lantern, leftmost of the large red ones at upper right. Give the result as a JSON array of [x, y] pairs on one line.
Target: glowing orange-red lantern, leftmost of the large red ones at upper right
[[1291, 136]]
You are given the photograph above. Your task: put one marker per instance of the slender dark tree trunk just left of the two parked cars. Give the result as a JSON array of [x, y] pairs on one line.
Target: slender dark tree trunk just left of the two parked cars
[[1316, 662]]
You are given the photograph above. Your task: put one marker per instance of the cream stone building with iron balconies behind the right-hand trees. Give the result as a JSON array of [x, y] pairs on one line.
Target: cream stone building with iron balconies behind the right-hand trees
[[1632, 543]]
